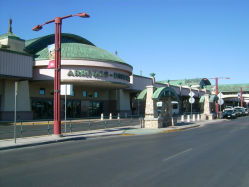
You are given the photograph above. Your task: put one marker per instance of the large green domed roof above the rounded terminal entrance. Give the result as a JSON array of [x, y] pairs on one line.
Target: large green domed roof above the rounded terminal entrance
[[72, 47]]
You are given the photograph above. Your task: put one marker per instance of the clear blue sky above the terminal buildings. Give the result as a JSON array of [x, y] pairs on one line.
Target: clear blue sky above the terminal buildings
[[176, 39]]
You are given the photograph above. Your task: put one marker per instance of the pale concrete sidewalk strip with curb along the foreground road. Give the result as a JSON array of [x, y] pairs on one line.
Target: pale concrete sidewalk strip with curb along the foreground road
[[127, 130]]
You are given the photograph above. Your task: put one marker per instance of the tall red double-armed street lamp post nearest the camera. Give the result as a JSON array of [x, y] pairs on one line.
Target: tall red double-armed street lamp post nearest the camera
[[57, 69]]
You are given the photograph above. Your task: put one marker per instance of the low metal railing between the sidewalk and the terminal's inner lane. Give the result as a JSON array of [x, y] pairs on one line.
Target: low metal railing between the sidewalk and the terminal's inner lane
[[45, 127]]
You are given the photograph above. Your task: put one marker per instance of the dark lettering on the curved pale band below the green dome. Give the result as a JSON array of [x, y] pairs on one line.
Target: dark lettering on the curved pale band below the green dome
[[97, 74]]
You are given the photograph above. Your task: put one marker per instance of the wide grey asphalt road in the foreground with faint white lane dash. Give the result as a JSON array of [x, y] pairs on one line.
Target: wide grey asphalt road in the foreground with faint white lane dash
[[210, 156]]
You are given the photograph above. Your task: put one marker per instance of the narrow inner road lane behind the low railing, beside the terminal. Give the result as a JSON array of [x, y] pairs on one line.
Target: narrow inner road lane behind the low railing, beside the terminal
[[7, 131]]
